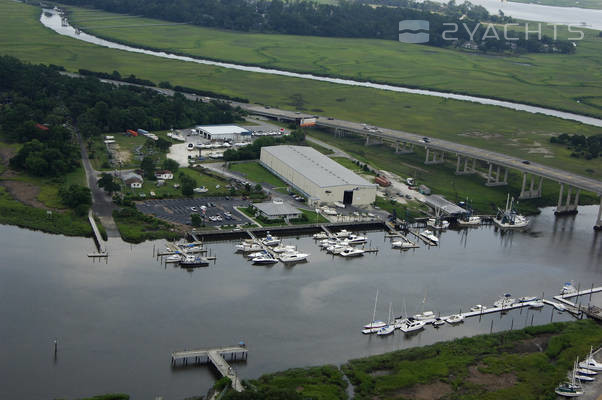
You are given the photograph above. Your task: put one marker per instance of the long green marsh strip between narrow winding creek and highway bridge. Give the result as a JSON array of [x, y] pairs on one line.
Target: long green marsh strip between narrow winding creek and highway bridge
[[483, 126]]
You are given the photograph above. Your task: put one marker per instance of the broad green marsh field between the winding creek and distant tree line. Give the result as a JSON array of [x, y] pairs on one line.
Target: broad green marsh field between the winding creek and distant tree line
[[552, 80]]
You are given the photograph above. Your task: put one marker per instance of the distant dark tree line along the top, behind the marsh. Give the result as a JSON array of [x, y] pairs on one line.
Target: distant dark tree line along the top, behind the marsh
[[377, 19]]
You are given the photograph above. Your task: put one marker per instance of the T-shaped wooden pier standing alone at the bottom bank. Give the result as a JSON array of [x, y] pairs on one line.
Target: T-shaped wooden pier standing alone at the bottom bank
[[217, 357]]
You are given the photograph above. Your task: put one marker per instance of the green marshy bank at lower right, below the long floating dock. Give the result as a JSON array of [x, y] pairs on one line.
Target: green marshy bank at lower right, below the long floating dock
[[515, 353]]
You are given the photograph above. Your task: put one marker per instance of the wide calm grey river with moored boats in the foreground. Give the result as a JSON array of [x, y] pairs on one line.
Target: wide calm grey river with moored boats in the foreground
[[117, 322]]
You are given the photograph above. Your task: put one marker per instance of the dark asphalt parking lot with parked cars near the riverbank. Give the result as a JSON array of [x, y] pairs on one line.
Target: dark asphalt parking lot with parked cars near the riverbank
[[179, 210]]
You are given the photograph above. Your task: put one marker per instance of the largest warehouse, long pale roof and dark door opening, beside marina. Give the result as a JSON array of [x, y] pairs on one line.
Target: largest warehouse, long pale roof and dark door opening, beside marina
[[321, 179]]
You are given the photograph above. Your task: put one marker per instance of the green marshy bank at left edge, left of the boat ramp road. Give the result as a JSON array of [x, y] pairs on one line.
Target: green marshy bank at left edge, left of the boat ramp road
[[13, 212]]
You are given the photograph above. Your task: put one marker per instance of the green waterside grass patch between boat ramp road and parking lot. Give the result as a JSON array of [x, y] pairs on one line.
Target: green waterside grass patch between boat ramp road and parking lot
[[136, 227]]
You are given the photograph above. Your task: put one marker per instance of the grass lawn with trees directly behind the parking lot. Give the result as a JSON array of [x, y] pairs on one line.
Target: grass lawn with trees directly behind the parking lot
[[167, 190]]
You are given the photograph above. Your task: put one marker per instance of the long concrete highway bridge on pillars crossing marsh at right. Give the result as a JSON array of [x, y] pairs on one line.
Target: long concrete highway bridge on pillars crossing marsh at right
[[466, 158]]
